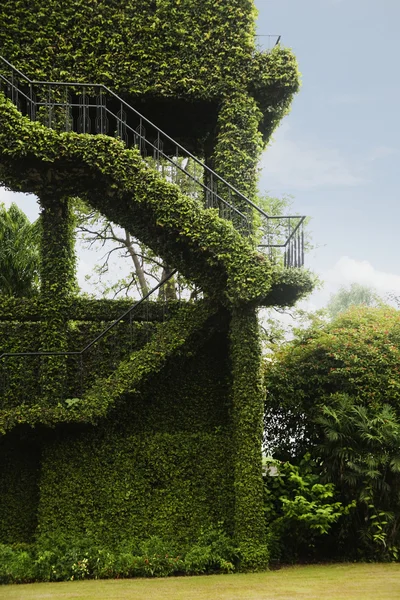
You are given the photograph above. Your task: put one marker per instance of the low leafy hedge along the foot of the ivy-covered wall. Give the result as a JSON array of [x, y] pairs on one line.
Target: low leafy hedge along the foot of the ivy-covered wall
[[58, 558]]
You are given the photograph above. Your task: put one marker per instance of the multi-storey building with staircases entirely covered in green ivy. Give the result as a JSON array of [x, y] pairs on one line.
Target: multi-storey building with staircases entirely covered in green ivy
[[155, 428]]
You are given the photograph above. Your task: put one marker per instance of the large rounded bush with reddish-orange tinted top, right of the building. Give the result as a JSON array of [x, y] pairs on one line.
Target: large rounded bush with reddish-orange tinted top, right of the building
[[358, 354]]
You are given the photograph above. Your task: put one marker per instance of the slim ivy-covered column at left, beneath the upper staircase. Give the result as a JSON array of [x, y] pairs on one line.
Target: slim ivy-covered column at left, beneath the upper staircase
[[57, 285]]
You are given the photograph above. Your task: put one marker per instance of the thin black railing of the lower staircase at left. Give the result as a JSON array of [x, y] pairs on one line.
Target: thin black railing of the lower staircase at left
[[23, 379]]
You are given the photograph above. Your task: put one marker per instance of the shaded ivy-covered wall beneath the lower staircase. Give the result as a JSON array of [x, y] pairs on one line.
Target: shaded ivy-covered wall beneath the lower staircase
[[161, 464]]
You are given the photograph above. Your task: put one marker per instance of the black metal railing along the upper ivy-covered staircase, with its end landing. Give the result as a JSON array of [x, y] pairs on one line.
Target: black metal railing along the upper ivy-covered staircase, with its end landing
[[94, 108]]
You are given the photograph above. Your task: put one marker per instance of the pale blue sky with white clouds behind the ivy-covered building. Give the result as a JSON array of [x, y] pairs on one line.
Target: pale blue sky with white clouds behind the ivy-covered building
[[337, 152]]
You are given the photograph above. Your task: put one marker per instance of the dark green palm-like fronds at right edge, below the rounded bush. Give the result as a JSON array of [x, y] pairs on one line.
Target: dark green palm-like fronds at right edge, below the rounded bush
[[361, 454]]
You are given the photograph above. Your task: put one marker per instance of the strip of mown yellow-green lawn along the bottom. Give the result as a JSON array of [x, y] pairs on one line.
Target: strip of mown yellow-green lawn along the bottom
[[317, 582]]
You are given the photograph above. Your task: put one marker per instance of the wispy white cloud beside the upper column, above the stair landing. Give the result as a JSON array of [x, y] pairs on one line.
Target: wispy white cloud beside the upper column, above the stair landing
[[295, 164]]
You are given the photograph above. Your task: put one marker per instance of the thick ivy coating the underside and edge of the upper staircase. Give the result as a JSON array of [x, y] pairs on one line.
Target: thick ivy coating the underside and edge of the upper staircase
[[116, 181]]
